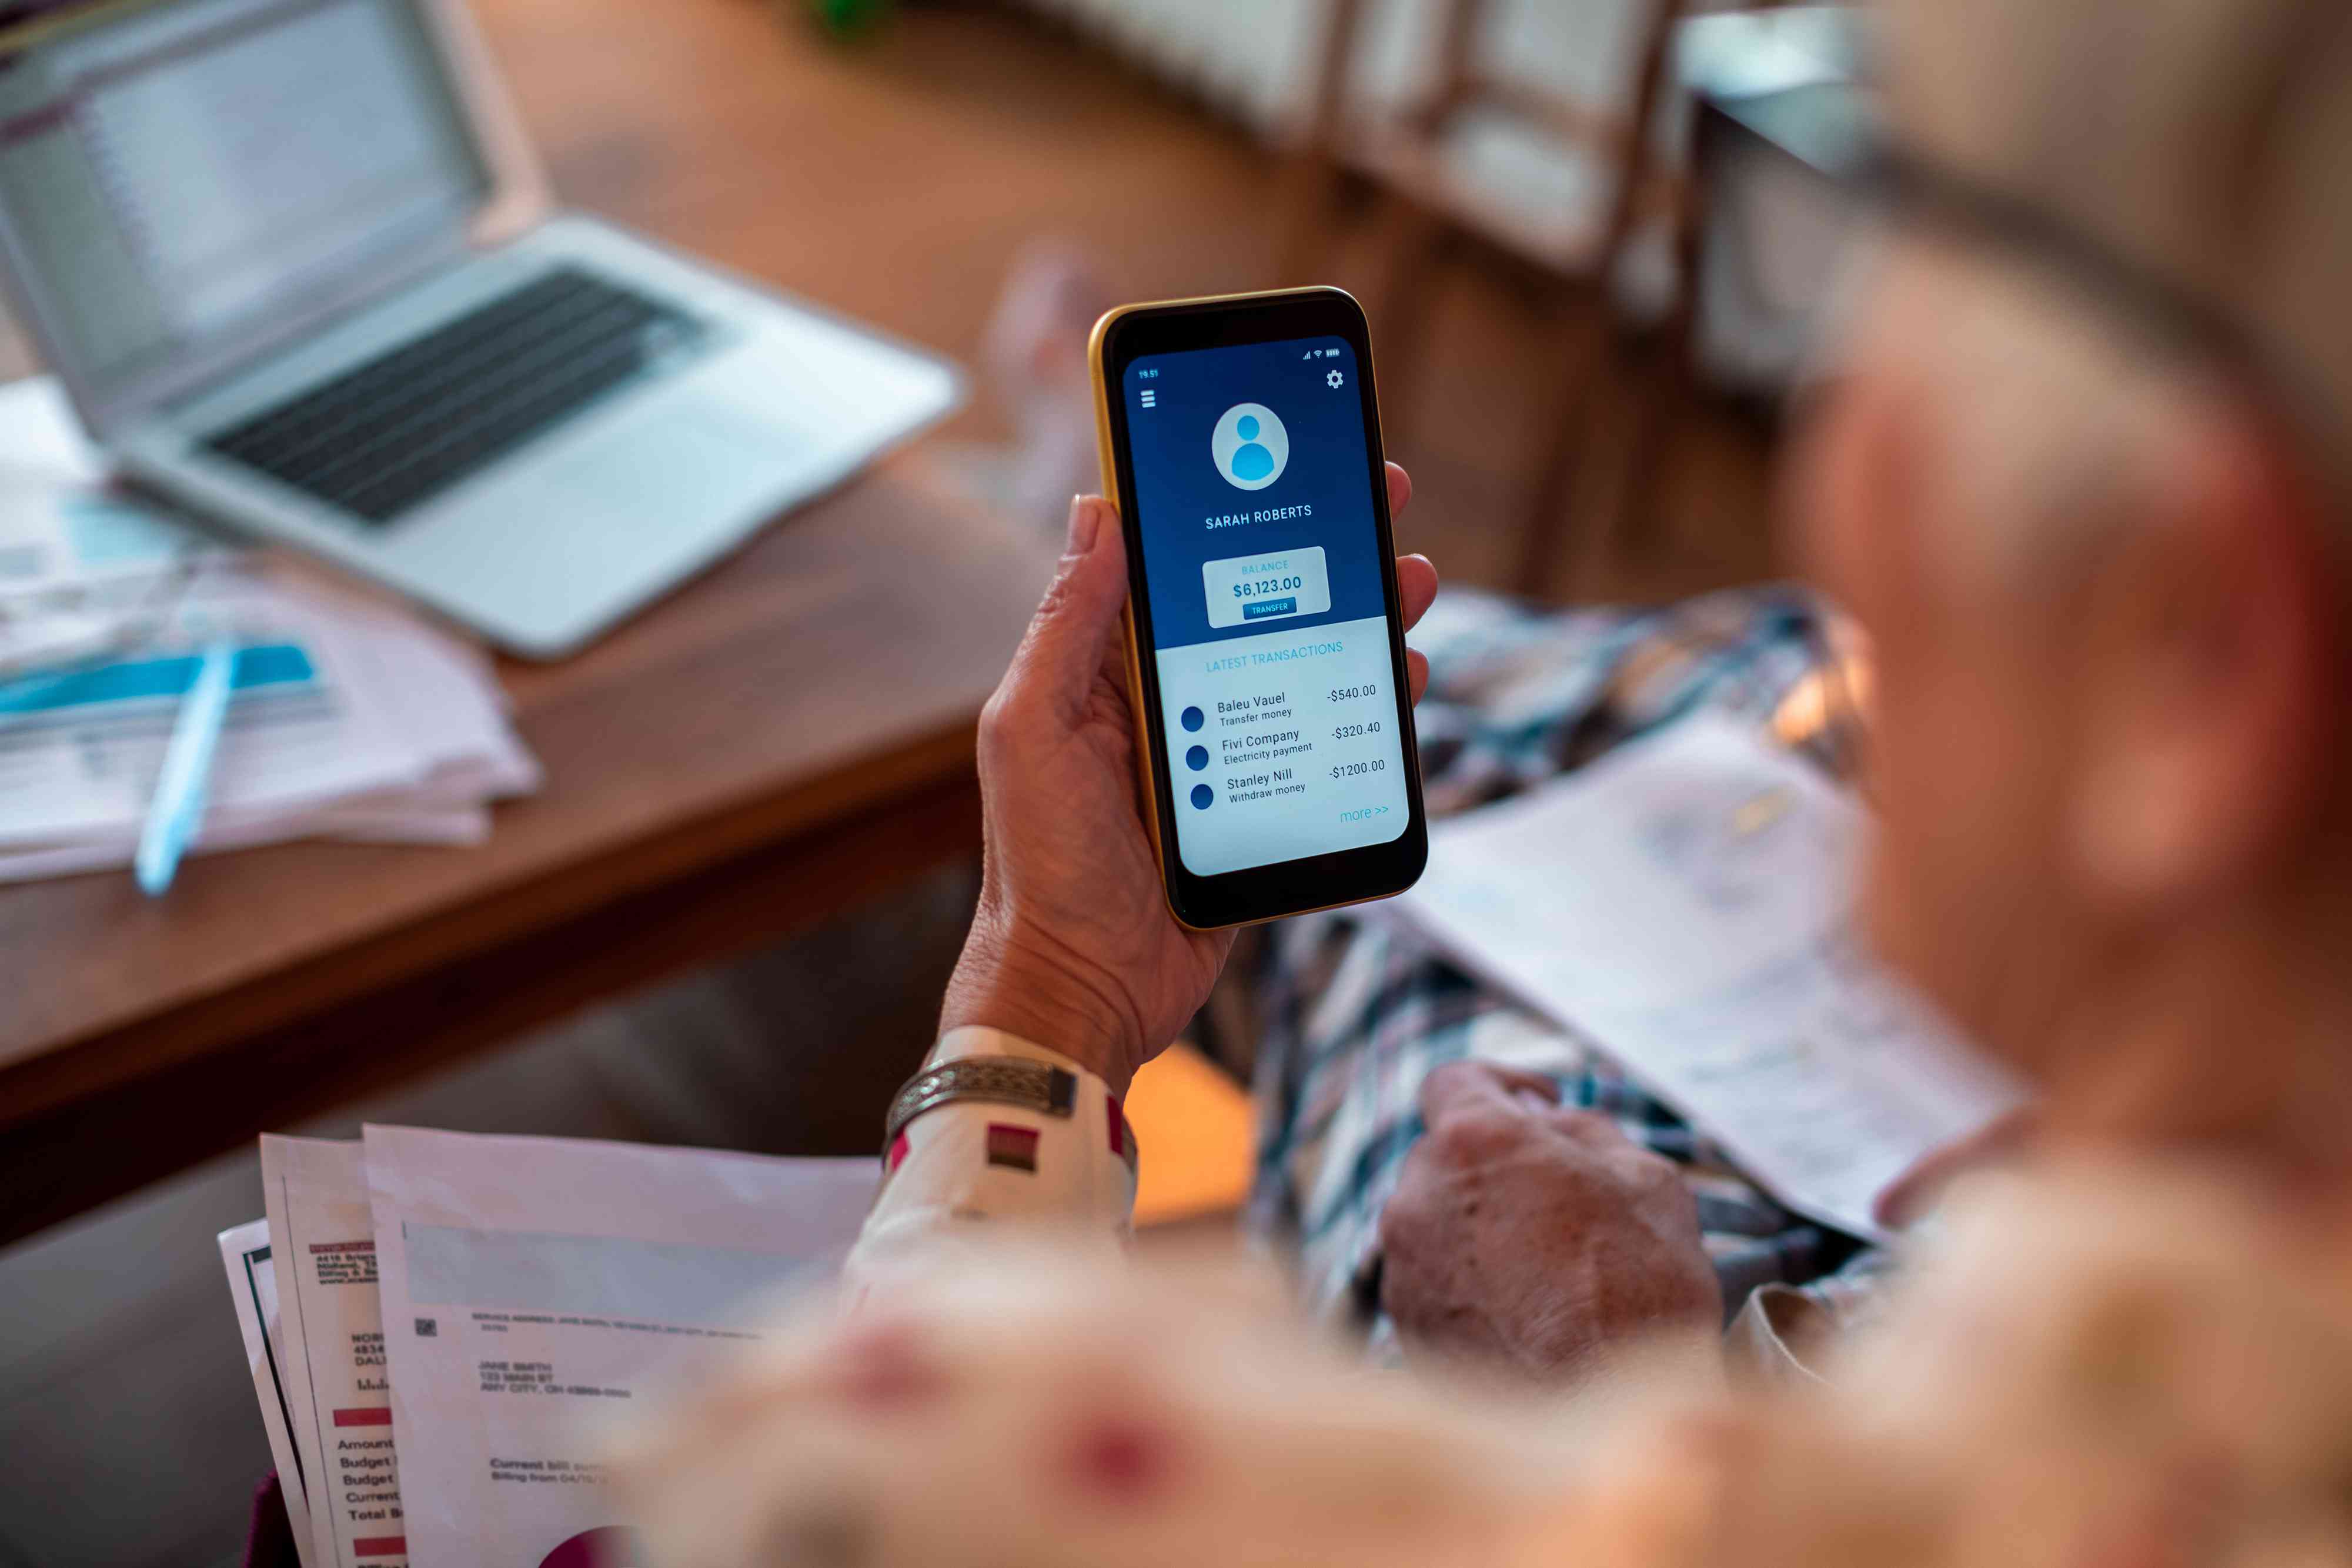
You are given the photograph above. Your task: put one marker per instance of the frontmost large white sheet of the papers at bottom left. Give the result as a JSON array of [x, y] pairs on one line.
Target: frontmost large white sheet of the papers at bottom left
[[540, 1292]]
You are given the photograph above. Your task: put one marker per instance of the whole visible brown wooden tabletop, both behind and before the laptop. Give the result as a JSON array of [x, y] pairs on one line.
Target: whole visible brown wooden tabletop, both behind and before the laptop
[[773, 744]]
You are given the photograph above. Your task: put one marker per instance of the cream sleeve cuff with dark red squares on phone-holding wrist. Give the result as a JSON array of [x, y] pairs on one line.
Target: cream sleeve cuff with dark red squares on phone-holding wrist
[[963, 1174]]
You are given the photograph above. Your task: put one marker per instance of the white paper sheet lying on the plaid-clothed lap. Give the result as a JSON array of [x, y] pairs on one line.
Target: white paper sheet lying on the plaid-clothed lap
[[1685, 904]]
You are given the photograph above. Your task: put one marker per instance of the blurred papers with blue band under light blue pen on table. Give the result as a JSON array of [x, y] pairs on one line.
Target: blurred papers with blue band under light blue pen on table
[[347, 718]]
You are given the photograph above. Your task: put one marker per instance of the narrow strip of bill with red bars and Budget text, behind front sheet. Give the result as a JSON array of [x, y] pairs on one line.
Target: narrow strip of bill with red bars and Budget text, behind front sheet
[[316, 1195]]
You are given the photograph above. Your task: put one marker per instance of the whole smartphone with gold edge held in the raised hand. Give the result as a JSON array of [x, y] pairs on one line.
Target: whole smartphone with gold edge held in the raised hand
[[1264, 645]]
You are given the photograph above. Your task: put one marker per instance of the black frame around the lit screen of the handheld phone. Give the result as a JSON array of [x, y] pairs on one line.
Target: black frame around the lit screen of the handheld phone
[[1311, 883]]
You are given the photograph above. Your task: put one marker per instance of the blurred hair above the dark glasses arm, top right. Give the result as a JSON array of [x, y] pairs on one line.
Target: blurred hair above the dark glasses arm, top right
[[2200, 140]]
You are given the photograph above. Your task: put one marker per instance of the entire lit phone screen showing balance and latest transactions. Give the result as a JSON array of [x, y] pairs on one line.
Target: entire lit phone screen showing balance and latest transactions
[[1269, 622]]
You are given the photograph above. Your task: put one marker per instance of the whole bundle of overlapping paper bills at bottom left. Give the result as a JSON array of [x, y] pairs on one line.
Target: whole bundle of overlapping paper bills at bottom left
[[446, 1329]]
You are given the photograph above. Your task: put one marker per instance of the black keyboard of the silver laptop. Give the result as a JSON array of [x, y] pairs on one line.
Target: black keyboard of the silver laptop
[[406, 427]]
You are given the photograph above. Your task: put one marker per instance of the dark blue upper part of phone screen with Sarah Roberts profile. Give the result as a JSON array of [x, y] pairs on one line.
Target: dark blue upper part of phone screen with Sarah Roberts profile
[[1252, 490]]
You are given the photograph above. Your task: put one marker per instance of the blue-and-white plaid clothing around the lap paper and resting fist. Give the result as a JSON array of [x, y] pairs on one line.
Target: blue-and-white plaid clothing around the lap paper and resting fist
[[1358, 1010]]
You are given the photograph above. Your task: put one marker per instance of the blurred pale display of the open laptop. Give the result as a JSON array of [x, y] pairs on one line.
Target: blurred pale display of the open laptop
[[180, 173]]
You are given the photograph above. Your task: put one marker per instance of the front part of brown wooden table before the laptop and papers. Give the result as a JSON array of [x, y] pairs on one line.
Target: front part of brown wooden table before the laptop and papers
[[777, 742]]
